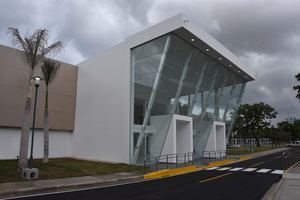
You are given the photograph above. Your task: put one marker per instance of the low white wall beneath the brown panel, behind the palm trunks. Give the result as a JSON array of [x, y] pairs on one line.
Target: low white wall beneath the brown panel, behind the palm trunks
[[59, 143]]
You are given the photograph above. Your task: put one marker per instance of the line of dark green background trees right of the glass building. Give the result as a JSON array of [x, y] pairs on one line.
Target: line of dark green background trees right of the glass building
[[254, 121]]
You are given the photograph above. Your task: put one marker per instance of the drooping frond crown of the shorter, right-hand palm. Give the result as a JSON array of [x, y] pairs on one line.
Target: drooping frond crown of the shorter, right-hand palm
[[50, 69]]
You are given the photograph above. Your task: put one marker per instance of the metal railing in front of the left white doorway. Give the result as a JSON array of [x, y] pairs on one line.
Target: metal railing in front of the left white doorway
[[169, 160]]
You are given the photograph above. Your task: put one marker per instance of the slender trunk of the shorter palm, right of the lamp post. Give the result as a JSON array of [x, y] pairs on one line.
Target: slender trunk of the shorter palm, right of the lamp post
[[46, 130]]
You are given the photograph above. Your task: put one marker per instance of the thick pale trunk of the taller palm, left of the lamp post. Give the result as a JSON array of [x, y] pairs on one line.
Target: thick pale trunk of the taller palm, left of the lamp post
[[23, 154]]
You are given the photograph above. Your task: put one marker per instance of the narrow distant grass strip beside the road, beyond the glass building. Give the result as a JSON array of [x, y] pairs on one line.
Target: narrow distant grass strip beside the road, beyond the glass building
[[247, 150]]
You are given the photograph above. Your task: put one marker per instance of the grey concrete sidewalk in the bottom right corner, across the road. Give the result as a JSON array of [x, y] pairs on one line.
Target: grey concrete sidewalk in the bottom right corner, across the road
[[288, 187]]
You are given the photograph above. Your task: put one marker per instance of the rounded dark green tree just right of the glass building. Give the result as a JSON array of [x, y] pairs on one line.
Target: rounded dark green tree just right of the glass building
[[255, 118]]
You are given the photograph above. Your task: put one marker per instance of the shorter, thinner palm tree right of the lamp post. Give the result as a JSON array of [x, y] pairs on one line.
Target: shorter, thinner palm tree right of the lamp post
[[49, 69]]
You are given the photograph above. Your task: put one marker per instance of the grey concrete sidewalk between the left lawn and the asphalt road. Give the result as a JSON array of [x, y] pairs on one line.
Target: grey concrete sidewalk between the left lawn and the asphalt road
[[15, 189]]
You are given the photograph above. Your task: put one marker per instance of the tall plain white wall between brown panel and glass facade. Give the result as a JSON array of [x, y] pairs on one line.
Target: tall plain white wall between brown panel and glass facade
[[102, 107]]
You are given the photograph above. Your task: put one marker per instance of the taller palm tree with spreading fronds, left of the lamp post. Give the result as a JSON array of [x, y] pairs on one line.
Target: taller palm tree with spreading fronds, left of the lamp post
[[33, 50]]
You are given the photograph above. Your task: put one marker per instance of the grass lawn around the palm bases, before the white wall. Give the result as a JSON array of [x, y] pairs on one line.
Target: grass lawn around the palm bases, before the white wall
[[62, 168]]
